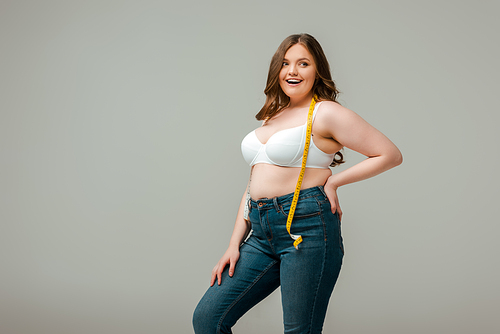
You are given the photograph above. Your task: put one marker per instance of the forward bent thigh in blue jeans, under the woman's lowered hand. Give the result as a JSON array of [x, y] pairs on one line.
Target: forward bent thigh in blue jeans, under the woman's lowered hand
[[256, 275]]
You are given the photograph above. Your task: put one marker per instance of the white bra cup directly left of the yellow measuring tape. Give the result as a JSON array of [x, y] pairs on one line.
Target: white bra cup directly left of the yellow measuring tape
[[283, 148]]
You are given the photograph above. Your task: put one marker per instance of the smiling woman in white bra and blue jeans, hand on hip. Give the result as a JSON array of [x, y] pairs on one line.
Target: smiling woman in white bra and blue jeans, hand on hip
[[251, 269]]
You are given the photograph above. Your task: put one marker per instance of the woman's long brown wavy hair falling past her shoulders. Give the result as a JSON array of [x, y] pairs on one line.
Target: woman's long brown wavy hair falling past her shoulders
[[324, 87]]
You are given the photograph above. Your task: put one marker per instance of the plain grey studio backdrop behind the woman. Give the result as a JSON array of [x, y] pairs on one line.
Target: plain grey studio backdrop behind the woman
[[121, 171]]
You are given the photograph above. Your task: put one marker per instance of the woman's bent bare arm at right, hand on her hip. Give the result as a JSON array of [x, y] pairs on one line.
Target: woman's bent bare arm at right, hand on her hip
[[353, 132]]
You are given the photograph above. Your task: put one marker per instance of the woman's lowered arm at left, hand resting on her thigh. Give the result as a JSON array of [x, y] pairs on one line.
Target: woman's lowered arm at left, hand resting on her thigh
[[232, 254]]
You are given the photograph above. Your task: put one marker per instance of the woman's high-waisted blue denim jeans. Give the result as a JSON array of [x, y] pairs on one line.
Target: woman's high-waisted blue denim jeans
[[268, 260]]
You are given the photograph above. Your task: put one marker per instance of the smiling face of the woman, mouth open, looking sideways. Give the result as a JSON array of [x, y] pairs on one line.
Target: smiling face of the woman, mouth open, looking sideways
[[298, 72]]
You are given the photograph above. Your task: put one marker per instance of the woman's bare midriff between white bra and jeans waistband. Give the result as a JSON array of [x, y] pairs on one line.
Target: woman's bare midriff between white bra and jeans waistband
[[270, 181]]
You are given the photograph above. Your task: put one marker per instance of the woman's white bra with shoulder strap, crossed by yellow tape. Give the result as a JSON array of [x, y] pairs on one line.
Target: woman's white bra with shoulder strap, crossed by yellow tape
[[285, 148]]
